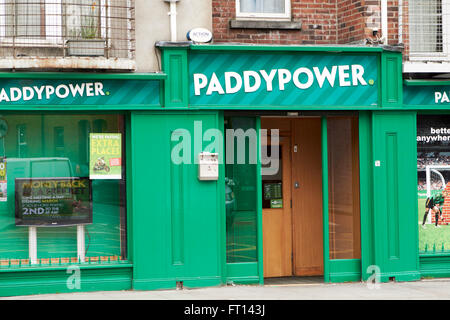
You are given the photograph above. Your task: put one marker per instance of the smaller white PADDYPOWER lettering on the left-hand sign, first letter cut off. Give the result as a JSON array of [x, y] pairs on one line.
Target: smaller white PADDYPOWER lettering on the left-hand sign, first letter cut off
[[62, 91]]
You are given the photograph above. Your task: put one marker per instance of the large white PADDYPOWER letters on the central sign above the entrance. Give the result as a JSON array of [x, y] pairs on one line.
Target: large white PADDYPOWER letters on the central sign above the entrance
[[251, 81]]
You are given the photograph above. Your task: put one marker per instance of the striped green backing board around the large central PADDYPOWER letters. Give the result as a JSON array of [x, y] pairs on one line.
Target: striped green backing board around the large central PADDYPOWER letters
[[210, 63]]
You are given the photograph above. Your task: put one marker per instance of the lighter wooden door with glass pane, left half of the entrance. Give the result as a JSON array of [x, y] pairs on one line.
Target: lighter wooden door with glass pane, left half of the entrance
[[277, 222]]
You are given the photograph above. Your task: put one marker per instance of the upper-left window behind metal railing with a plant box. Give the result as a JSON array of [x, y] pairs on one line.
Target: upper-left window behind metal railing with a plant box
[[64, 28]]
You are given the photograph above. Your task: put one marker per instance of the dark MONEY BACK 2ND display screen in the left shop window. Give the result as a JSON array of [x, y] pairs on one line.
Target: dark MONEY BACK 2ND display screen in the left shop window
[[53, 201]]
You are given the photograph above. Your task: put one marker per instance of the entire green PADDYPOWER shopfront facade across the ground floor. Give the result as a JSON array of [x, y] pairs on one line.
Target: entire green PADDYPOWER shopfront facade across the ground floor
[[158, 224]]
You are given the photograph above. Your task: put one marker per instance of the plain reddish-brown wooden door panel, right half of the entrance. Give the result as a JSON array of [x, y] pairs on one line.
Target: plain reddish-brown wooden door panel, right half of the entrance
[[307, 216]]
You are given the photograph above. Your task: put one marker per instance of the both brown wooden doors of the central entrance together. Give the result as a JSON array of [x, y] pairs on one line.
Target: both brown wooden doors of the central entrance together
[[293, 235]]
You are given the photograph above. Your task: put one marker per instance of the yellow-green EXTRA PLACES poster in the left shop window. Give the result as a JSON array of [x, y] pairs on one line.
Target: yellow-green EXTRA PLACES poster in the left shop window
[[105, 158]]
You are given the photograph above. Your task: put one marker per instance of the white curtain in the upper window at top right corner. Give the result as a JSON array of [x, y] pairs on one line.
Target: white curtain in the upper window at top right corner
[[425, 26]]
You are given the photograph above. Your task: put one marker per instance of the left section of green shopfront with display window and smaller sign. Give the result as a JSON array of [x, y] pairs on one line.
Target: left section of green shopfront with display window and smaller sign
[[47, 244]]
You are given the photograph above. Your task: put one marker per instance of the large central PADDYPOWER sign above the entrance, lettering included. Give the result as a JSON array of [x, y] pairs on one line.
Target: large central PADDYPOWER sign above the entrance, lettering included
[[280, 79]]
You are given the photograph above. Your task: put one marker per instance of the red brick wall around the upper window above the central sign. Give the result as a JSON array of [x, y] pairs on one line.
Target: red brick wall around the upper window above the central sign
[[323, 22]]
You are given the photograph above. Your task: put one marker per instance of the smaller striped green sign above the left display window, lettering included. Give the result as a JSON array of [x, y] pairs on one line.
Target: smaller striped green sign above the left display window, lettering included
[[40, 92]]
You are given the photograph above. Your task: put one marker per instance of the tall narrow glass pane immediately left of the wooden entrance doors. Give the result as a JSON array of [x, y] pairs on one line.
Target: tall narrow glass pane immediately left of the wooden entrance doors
[[240, 194]]
